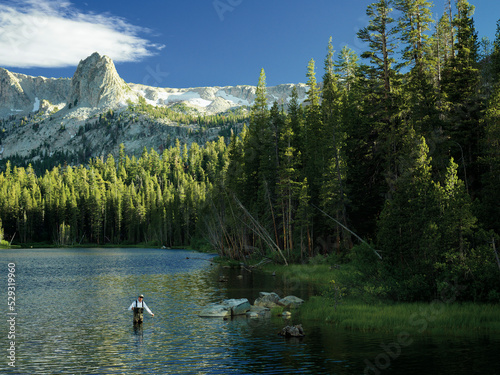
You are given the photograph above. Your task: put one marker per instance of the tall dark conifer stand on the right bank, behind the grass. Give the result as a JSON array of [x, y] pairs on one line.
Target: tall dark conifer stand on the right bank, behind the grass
[[401, 151]]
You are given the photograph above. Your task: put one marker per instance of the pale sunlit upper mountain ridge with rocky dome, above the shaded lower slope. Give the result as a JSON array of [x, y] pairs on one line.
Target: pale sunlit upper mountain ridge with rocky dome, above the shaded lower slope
[[96, 83]]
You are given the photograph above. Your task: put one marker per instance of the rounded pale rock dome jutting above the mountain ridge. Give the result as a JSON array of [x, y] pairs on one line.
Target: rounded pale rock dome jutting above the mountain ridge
[[96, 83]]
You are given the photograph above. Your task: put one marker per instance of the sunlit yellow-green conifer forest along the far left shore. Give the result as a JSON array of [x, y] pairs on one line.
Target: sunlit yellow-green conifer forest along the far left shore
[[154, 199]]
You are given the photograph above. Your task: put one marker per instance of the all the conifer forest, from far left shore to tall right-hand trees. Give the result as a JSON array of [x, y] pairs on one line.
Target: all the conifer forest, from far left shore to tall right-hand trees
[[393, 164]]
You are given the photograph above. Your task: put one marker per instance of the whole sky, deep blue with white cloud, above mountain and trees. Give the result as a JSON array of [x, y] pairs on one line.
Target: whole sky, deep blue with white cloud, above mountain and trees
[[188, 43]]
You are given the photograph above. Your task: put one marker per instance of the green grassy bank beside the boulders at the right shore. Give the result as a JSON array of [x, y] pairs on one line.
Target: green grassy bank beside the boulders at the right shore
[[346, 302]]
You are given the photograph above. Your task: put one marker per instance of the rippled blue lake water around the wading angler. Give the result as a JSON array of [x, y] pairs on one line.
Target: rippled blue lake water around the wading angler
[[72, 318]]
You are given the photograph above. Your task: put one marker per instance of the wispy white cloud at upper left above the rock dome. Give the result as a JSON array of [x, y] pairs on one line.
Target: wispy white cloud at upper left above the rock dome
[[51, 33]]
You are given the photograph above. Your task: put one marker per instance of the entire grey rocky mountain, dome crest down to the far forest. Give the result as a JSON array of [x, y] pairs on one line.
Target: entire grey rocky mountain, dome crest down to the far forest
[[93, 112]]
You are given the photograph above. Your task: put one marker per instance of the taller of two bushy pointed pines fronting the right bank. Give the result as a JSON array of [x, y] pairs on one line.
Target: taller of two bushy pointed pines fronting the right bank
[[407, 227]]
